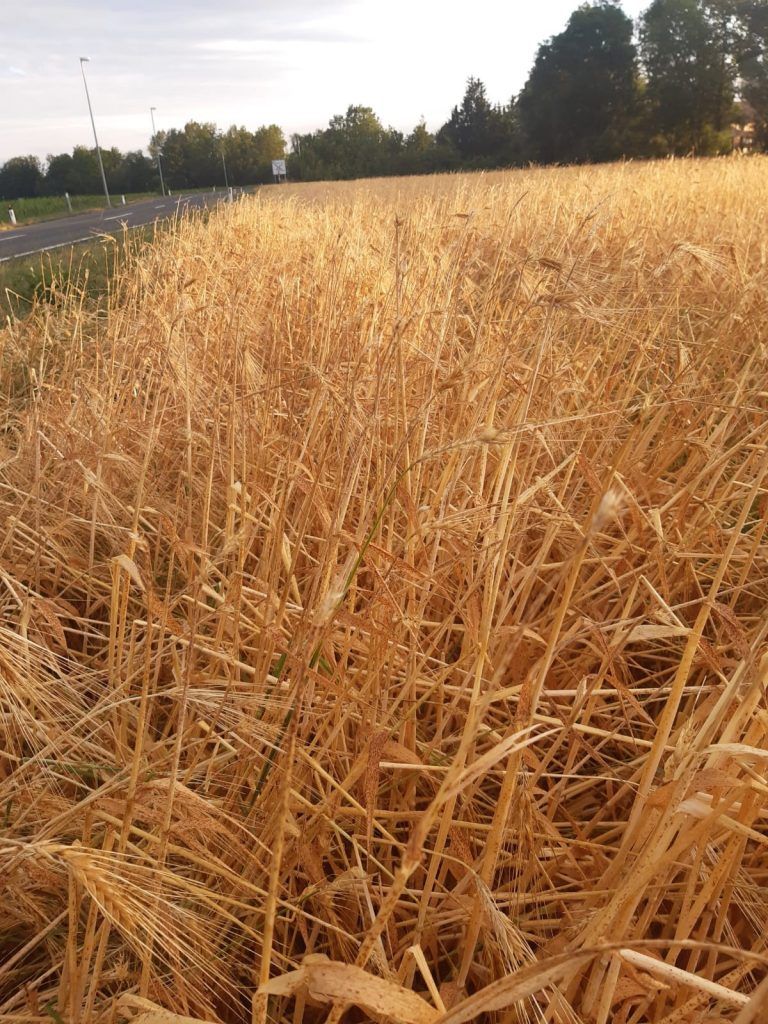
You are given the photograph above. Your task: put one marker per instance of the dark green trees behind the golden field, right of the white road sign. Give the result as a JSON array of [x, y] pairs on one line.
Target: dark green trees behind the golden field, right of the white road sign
[[604, 89]]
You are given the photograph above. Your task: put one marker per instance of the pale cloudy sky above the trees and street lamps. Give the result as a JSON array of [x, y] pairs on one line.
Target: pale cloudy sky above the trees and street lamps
[[292, 63]]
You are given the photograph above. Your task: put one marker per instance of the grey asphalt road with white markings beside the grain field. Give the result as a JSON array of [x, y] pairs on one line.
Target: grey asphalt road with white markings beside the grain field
[[30, 239]]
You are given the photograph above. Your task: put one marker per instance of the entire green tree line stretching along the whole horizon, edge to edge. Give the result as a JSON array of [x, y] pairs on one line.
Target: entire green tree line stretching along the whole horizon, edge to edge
[[676, 83]]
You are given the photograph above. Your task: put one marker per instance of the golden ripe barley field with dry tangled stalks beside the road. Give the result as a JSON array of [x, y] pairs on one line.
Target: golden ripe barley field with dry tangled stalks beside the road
[[383, 589]]
